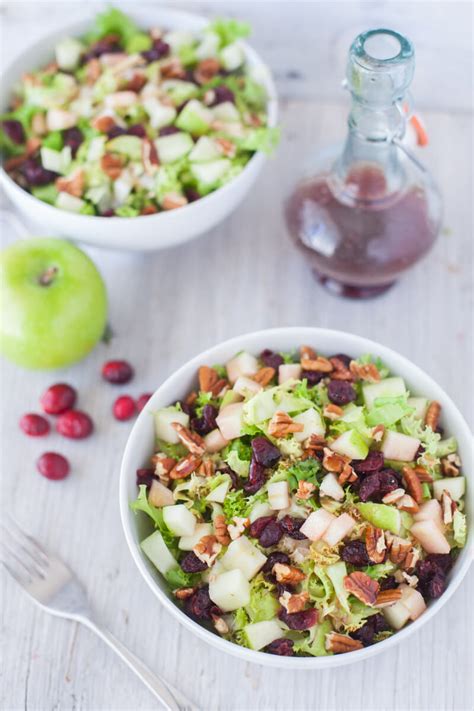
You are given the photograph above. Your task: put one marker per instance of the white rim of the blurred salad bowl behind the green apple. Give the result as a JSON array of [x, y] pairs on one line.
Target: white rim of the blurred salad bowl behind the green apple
[[200, 21]]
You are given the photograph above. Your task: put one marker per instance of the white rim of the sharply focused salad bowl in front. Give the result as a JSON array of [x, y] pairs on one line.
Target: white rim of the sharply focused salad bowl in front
[[301, 335]]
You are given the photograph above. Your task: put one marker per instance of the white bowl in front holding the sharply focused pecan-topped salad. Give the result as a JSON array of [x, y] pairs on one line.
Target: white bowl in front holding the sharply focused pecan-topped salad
[[141, 442]]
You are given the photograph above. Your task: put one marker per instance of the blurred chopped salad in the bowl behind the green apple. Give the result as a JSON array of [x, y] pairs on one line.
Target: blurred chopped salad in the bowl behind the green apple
[[127, 122]]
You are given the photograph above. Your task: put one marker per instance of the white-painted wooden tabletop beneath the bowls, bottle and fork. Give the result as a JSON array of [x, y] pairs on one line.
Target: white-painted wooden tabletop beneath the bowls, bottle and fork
[[244, 275]]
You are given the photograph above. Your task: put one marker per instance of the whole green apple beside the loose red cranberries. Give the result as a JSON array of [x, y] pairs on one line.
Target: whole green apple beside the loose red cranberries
[[53, 303]]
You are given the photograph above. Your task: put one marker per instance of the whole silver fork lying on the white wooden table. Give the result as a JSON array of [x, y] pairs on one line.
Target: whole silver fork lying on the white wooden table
[[54, 588]]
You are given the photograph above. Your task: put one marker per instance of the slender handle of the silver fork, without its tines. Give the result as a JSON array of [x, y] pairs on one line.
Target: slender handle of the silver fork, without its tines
[[165, 693]]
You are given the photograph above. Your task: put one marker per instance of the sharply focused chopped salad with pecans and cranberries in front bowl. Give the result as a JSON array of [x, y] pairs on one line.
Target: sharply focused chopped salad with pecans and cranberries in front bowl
[[303, 505]]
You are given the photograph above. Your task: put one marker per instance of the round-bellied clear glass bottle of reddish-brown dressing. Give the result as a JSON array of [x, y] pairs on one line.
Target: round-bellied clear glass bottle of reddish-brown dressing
[[366, 214]]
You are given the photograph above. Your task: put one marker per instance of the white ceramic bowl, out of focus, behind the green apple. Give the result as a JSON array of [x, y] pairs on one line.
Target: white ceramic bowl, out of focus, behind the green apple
[[143, 233]]
